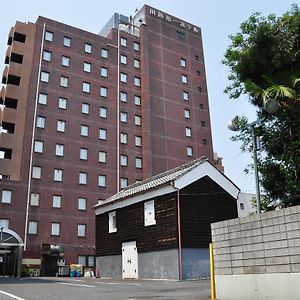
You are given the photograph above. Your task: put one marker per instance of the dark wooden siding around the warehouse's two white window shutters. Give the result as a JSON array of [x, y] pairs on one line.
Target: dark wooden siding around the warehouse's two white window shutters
[[130, 226]]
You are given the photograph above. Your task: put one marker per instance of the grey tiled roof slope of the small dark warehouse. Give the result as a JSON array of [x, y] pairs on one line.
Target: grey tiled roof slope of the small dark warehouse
[[154, 181]]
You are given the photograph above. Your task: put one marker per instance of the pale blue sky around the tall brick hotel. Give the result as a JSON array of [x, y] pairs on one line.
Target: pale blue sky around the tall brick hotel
[[217, 18]]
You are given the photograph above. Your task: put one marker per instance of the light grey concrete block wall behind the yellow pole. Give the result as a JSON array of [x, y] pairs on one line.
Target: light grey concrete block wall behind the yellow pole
[[258, 257]]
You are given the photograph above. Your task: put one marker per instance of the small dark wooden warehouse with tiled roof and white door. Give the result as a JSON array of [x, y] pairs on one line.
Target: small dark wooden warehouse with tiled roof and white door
[[159, 228]]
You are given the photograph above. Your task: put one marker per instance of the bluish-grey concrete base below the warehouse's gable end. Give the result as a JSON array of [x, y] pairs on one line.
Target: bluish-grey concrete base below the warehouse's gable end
[[195, 263]]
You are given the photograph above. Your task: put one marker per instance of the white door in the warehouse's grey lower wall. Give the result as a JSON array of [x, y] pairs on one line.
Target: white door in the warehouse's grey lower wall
[[129, 260]]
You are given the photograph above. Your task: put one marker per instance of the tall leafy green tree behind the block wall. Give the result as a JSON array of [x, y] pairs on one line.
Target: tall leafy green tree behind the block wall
[[264, 63]]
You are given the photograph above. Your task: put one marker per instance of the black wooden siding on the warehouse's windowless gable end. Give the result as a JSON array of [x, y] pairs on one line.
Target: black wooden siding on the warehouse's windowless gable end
[[203, 203]]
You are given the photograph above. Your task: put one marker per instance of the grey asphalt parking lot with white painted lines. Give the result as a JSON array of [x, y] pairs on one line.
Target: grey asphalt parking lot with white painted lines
[[101, 289]]
